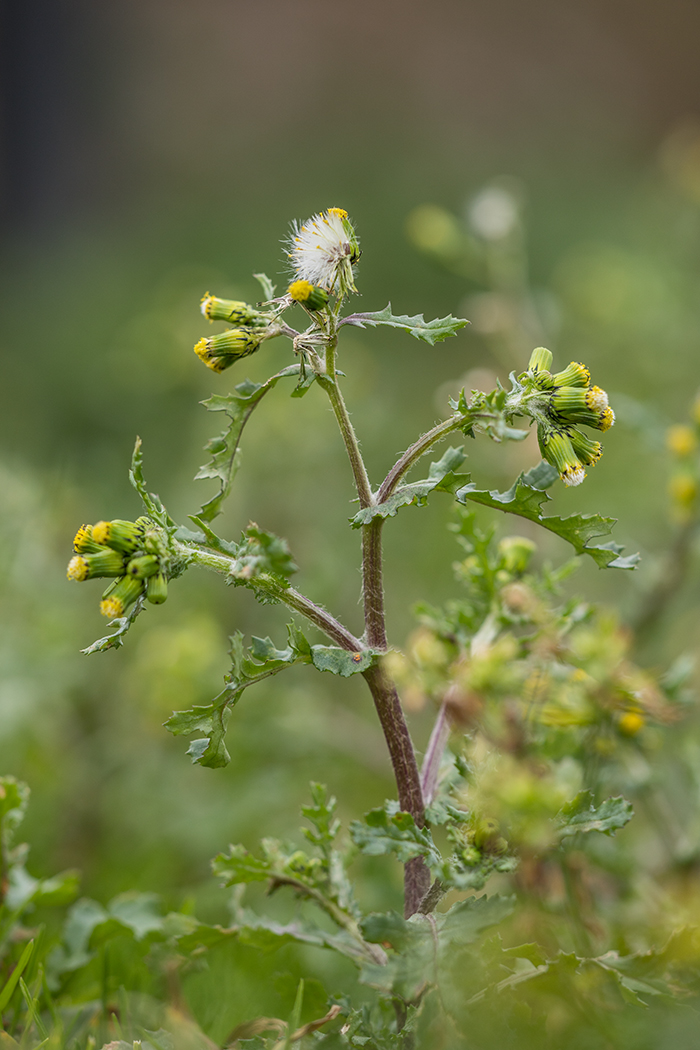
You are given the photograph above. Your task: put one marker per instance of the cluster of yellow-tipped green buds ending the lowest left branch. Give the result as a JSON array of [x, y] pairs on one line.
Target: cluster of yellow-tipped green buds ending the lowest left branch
[[131, 553]]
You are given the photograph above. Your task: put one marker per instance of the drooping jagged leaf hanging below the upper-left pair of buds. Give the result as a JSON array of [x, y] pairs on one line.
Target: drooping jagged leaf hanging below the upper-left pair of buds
[[239, 407]]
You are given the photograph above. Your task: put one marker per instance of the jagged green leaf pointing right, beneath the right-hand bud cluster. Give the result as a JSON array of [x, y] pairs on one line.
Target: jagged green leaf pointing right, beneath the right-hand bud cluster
[[525, 499]]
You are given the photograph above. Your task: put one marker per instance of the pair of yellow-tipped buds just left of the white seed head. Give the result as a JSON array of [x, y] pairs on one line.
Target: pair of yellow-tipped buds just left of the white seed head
[[252, 327]]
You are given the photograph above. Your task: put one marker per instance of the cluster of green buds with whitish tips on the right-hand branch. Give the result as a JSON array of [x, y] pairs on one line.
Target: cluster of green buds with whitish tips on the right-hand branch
[[562, 403]]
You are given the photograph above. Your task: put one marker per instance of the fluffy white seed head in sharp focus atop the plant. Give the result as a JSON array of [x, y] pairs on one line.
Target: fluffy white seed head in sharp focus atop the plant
[[324, 251]]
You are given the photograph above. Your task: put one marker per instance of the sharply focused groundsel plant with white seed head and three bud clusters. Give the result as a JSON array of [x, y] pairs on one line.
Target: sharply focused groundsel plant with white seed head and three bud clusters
[[140, 558]]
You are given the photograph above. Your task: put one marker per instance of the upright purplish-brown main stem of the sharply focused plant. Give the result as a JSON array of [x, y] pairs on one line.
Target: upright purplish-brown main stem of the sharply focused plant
[[417, 878]]
